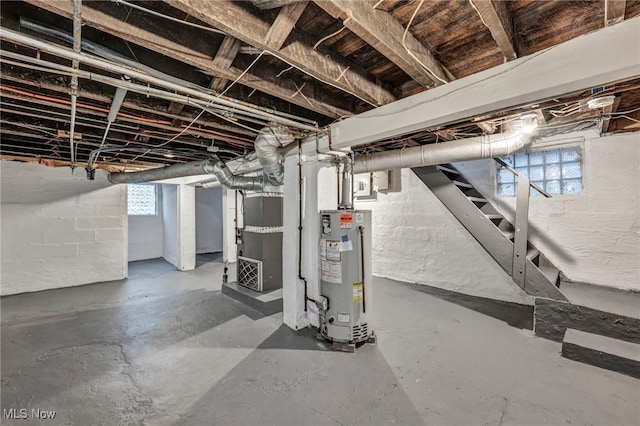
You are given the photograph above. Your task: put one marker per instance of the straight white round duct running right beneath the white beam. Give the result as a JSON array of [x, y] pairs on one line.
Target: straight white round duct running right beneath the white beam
[[488, 146]]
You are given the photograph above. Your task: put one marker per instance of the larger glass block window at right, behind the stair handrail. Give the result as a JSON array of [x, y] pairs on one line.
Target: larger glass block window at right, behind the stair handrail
[[558, 171]]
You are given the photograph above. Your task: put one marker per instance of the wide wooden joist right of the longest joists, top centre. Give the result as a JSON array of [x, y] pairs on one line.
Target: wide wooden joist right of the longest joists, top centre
[[379, 29]]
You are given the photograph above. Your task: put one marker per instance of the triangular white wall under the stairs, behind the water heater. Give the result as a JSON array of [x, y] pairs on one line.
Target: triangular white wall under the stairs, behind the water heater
[[416, 239]]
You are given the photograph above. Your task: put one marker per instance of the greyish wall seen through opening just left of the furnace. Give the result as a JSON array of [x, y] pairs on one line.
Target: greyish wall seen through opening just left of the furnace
[[209, 220]]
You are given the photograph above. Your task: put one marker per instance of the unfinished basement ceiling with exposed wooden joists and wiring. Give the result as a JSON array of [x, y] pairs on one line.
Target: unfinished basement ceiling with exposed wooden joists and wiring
[[303, 61]]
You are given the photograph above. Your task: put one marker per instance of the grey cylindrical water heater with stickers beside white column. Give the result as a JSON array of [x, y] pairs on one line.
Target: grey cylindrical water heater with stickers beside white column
[[345, 277]]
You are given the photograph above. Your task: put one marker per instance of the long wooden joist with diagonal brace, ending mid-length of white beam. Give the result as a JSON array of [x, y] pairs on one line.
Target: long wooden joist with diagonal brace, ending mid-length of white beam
[[234, 19]]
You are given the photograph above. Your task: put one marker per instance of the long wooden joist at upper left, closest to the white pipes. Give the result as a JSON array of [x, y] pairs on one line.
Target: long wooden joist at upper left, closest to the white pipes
[[180, 44]]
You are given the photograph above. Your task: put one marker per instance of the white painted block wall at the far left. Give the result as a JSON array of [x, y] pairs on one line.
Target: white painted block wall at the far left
[[58, 229]]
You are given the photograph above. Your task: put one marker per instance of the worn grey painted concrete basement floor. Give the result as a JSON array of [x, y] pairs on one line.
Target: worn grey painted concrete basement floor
[[166, 347]]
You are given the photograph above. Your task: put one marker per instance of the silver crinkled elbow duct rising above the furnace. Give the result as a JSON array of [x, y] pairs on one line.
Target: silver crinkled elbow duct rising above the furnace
[[267, 144]]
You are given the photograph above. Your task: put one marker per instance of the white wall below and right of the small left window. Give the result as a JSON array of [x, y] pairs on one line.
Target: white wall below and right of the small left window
[[146, 239]]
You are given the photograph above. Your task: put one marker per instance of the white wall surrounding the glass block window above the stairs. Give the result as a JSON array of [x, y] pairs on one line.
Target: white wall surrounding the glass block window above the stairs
[[592, 237]]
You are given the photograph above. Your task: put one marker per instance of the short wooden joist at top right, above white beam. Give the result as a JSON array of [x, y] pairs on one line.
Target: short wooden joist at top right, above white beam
[[496, 16]]
